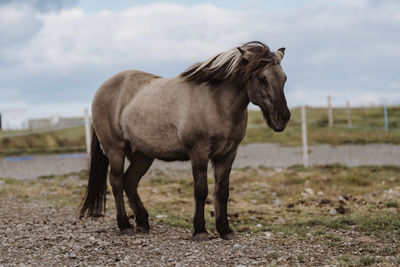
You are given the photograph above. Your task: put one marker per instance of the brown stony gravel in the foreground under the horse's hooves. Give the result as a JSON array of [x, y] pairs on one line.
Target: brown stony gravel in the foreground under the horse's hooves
[[37, 234]]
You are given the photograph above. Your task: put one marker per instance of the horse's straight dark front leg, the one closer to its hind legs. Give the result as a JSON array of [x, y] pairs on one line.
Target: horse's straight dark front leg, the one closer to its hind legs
[[199, 167]]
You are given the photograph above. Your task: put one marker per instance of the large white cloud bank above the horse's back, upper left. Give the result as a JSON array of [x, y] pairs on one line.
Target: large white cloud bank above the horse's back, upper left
[[140, 34]]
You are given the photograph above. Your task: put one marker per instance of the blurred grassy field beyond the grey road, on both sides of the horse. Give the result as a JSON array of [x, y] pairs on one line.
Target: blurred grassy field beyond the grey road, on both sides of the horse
[[367, 127]]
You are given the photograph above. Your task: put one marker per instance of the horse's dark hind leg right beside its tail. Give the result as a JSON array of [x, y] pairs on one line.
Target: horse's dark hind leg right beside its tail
[[117, 183]]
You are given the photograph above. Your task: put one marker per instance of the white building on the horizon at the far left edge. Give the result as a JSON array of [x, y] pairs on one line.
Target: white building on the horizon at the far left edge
[[13, 116]]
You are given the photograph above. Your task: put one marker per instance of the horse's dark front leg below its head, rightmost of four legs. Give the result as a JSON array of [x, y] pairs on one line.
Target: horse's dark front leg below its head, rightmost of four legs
[[222, 169]]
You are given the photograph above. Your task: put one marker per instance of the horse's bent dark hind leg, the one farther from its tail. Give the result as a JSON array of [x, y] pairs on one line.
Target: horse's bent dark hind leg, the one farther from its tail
[[139, 166]]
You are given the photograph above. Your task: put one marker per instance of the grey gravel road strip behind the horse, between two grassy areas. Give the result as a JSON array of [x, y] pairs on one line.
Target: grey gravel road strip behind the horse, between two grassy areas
[[253, 155]]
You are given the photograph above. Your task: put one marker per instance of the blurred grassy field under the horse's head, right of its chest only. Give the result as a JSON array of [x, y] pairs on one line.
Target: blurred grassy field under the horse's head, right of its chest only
[[367, 127]]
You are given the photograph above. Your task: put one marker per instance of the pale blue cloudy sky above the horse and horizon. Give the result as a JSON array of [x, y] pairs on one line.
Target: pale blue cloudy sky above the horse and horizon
[[55, 54]]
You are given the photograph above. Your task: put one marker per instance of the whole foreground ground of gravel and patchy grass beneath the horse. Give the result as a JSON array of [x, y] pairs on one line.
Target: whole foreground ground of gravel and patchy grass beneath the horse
[[331, 215]]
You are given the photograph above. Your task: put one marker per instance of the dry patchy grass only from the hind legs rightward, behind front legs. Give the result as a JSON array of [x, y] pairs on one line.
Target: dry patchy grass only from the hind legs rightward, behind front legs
[[364, 198]]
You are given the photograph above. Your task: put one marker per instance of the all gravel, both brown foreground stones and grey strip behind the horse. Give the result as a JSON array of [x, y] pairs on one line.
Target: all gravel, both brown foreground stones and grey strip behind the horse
[[34, 233]]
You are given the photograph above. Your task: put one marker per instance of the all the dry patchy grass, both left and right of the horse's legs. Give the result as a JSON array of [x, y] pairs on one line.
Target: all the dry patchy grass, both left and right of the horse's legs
[[365, 199]]
